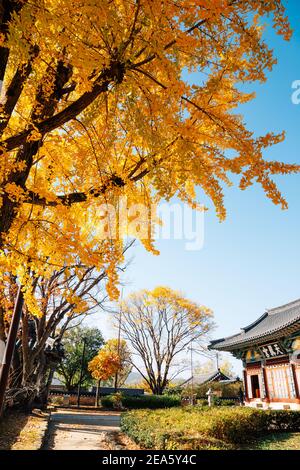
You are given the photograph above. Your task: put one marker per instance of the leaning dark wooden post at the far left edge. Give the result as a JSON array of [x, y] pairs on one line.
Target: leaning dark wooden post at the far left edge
[[10, 347]]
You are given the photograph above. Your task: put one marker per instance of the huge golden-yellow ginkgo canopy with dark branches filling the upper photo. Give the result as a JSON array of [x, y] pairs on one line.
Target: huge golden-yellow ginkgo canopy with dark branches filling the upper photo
[[98, 102]]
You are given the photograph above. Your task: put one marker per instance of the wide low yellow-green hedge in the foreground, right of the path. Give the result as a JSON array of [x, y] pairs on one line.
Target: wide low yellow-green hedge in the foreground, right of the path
[[206, 428]]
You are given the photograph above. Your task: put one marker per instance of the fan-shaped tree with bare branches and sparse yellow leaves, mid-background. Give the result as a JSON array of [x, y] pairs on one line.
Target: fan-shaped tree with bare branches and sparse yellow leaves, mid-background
[[159, 325]]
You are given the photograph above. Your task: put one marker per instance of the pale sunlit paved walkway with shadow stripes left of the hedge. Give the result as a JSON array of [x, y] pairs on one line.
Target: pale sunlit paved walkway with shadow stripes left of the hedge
[[75, 430]]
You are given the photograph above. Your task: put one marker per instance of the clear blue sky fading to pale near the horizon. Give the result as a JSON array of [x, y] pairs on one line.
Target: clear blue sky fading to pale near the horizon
[[251, 261]]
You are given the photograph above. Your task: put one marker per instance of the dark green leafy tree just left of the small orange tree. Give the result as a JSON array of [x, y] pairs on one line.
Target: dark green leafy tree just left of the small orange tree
[[69, 369]]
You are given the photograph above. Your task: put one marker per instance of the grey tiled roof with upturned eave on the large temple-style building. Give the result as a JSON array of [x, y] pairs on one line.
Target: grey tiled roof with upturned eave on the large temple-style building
[[269, 326]]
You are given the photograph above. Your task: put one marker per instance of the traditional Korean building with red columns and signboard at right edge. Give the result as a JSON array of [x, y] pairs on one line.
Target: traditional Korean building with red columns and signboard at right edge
[[270, 351]]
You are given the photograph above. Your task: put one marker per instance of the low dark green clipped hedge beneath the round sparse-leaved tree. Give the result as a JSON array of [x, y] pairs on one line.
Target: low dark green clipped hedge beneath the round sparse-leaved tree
[[144, 401]]
